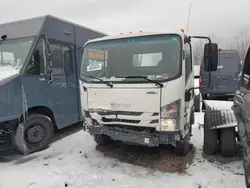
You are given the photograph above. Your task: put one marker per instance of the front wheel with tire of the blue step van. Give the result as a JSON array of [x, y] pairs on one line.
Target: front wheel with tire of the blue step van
[[35, 134]]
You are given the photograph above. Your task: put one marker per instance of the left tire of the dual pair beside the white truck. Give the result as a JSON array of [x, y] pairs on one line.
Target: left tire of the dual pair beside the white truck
[[210, 145]]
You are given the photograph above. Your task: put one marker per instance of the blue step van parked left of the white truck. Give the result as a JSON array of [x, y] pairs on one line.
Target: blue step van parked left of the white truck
[[39, 87]]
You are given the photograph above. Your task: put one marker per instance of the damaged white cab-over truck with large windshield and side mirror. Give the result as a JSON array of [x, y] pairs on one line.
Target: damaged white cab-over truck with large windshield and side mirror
[[139, 88]]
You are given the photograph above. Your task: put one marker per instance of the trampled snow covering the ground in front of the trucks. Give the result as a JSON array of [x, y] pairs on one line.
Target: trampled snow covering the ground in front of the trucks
[[62, 165]]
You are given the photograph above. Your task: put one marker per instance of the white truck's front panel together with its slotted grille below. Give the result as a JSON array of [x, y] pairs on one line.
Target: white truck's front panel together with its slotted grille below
[[125, 106]]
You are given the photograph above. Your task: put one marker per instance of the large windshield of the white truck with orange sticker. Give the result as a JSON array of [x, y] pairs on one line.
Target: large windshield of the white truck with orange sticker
[[132, 59]]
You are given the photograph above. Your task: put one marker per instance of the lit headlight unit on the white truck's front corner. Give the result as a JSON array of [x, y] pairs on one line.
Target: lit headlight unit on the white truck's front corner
[[170, 116]]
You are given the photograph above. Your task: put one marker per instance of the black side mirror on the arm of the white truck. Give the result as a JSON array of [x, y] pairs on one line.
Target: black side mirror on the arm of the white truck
[[210, 57]]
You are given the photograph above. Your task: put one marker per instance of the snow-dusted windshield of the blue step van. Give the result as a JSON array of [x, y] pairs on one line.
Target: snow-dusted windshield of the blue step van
[[14, 52]]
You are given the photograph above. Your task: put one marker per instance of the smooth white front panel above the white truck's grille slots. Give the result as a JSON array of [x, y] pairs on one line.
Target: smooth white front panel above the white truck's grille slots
[[125, 99]]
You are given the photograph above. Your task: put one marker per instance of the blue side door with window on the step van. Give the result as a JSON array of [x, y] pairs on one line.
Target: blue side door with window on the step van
[[63, 88]]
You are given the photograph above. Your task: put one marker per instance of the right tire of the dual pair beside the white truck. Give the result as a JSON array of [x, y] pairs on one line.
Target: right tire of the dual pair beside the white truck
[[227, 141]]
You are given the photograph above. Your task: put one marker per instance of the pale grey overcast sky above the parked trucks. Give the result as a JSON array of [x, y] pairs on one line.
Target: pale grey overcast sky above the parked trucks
[[221, 17]]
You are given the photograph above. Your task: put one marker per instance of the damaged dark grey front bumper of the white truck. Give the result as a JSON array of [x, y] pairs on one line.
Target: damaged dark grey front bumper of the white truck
[[136, 137]]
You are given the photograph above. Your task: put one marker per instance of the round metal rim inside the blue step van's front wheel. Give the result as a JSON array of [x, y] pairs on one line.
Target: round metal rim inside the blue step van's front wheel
[[34, 134]]
